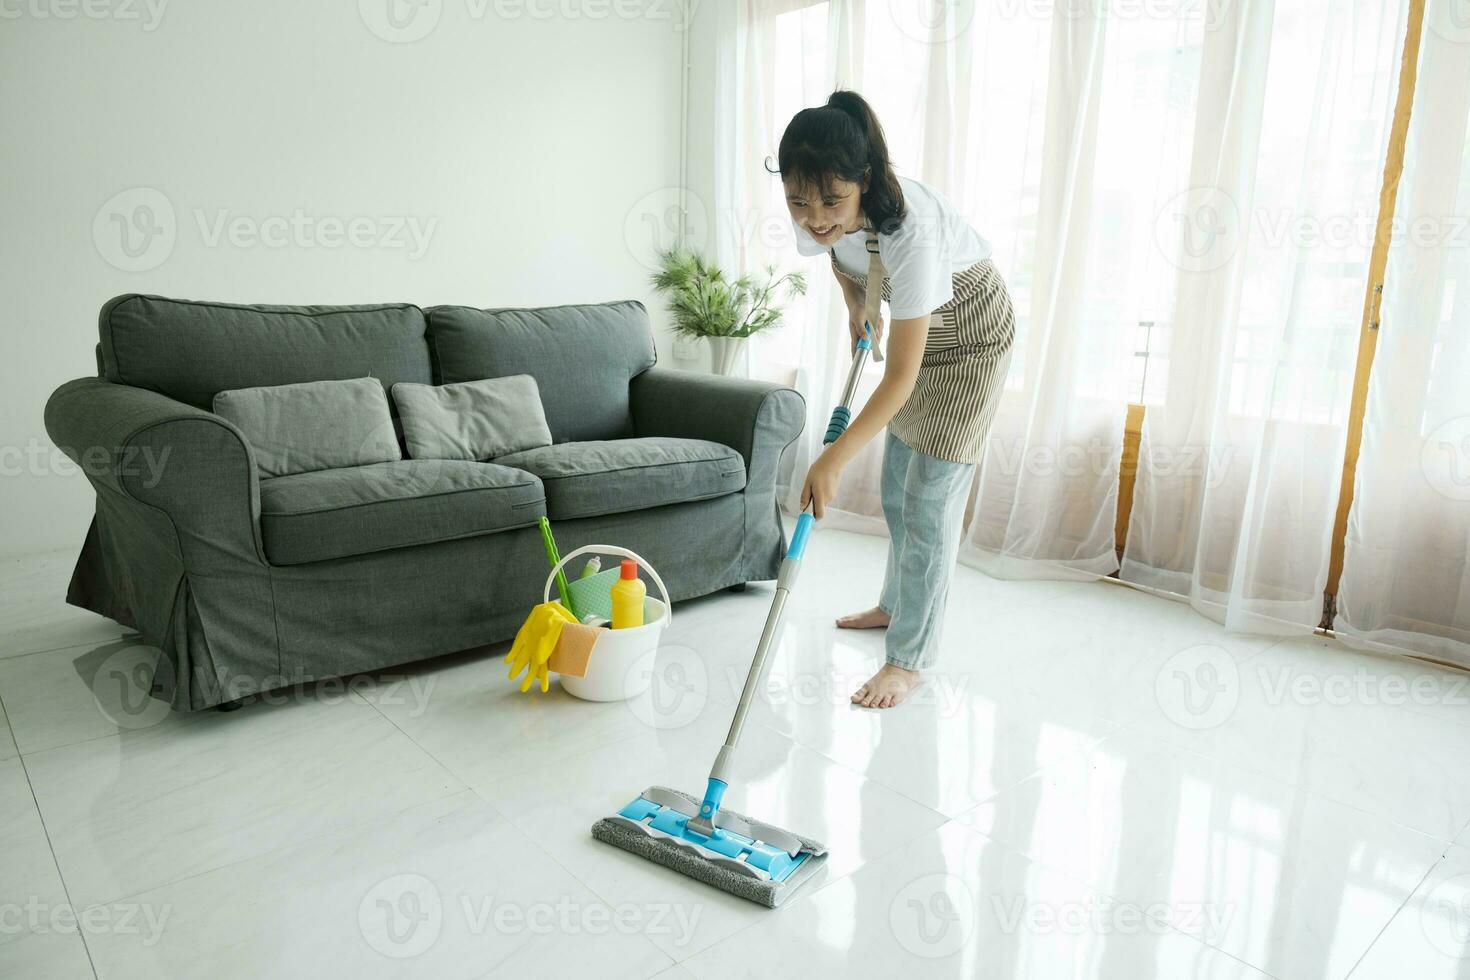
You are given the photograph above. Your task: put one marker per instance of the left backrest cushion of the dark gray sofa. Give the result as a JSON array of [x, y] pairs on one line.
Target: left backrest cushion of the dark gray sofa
[[193, 350]]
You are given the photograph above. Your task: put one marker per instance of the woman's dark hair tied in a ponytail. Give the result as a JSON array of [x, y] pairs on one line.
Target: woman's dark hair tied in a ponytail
[[843, 140]]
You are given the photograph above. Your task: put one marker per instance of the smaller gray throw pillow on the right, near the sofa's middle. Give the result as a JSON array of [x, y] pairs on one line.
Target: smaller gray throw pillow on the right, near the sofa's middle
[[473, 419]]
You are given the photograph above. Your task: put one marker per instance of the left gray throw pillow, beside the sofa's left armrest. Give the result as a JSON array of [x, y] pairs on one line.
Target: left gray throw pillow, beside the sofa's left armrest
[[315, 425]]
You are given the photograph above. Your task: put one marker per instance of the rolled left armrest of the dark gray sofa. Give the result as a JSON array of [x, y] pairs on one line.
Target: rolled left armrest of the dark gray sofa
[[145, 447]]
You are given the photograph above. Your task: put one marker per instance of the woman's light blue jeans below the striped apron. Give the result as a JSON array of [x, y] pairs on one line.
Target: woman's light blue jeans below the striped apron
[[924, 505]]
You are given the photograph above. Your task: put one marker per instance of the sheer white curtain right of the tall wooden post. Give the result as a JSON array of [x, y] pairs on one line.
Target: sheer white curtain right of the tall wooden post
[[1405, 578]]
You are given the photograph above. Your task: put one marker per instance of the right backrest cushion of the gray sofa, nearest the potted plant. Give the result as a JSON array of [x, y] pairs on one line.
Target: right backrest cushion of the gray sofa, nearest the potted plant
[[581, 356]]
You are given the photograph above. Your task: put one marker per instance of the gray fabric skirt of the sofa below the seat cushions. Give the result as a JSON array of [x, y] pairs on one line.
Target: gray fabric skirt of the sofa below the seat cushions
[[227, 637]]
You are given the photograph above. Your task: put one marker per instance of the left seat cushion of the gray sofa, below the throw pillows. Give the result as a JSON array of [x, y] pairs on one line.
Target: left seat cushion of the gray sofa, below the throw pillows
[[362, 509]]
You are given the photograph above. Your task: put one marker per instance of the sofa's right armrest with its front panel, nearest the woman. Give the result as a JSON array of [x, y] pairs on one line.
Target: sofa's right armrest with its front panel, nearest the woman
[[758, 419]]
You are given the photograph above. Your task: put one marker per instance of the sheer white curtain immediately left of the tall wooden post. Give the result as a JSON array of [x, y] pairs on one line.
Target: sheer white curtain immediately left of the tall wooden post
[[1241, 459]]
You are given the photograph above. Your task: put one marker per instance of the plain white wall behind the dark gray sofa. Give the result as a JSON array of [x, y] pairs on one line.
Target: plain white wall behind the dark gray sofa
[[537, 155]]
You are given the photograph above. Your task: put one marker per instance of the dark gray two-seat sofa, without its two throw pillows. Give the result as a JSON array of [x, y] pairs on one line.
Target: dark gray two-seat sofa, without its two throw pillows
[[251, 584]]
